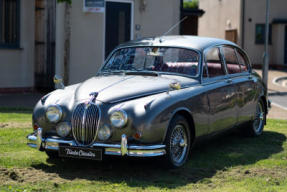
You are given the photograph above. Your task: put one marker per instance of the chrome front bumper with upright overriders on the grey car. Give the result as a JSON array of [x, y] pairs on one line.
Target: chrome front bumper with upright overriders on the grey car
[[122, 149]]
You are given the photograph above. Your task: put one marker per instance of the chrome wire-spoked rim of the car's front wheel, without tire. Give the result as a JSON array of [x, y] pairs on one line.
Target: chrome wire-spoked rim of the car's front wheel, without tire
[[178, 144]]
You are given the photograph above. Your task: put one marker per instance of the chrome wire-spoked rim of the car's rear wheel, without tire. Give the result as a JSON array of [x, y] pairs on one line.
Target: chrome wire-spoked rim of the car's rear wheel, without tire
[[258, 122]]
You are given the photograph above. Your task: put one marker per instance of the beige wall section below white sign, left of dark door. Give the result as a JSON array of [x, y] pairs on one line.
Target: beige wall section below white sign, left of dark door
[[87, 43]]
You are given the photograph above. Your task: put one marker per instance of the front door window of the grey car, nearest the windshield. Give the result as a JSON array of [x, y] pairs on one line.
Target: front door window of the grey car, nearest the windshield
[[213, 62]]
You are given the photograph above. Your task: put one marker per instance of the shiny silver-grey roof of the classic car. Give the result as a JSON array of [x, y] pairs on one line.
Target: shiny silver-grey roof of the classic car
[[193, 42]]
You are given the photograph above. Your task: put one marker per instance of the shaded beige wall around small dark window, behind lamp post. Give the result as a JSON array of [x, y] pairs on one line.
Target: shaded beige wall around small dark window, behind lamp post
[[255, 14]]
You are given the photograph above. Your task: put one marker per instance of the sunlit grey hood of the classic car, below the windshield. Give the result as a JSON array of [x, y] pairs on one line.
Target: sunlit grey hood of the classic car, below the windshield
[[115, 88]]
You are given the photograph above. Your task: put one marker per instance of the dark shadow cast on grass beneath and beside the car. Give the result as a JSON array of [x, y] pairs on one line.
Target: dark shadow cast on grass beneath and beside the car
[[214, 155]]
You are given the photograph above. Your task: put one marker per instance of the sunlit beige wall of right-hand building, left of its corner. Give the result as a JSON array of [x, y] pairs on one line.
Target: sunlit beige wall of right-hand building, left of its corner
[[220, 15]]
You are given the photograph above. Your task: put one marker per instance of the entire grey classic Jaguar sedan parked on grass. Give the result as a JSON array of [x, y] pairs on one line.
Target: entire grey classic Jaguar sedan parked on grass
[[153, 97]]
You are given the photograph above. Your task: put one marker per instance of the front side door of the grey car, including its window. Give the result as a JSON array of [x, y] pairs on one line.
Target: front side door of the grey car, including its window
[[220, 90]]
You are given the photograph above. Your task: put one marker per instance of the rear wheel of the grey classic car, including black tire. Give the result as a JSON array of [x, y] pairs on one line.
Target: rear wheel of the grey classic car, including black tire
[[255, 127]]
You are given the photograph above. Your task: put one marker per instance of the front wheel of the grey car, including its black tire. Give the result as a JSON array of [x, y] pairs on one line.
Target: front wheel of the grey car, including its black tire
[[178, 142]]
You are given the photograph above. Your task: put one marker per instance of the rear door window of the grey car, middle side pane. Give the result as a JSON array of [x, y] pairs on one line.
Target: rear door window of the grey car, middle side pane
[[231, 60]]
